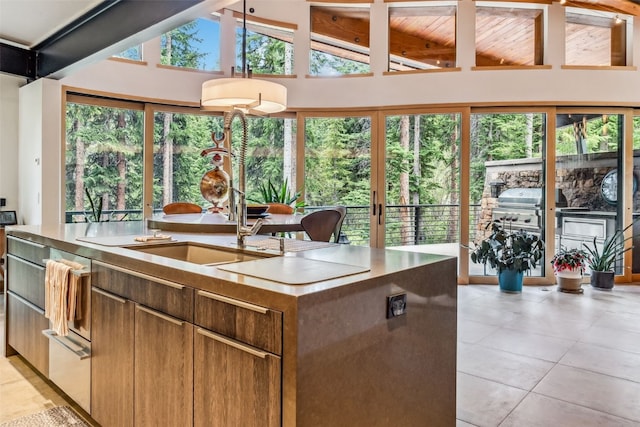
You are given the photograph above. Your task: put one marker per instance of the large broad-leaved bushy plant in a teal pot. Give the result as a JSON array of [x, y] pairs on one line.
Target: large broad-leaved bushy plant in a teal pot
[[510, 252]]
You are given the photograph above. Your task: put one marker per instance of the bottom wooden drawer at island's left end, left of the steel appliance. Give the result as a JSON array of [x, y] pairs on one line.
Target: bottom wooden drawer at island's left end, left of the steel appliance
[[25, 325]]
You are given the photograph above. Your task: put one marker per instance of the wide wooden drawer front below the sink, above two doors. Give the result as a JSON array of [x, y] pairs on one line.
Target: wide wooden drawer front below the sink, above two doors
[[165, 296]]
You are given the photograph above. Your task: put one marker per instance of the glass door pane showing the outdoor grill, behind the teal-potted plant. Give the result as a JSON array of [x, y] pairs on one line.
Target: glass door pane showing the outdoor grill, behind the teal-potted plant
[[506, 155]]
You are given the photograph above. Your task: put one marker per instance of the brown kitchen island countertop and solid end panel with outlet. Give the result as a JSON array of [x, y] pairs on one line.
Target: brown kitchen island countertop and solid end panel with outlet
[[338, 340]]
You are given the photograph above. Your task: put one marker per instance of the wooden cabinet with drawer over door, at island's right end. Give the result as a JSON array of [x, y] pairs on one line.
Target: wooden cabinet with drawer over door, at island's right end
[[237, 364]]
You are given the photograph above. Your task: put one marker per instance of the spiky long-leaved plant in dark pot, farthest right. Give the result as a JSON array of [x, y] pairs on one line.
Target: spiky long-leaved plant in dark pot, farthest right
[[602, 261]]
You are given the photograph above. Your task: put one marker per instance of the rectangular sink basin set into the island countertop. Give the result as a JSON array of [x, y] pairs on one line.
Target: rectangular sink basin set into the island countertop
[[198, 253]]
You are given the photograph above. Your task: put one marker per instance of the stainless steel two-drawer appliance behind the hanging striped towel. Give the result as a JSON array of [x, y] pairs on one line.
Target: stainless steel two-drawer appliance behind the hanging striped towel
[[70, 355]]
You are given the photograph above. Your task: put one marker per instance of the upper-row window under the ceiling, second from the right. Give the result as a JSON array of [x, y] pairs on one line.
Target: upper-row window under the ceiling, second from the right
[[508, 36]]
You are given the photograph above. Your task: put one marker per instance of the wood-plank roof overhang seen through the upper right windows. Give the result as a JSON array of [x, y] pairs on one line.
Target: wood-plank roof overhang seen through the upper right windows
[[504, 35]]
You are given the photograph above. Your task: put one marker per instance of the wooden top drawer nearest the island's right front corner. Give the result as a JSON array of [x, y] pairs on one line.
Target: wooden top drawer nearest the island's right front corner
[[252, 324]]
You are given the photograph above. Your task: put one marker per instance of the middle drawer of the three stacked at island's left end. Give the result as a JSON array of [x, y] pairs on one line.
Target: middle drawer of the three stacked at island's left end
[[26, 279]]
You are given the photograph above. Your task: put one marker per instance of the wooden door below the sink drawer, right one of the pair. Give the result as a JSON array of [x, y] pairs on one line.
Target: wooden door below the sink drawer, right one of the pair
[[163, 370]]
